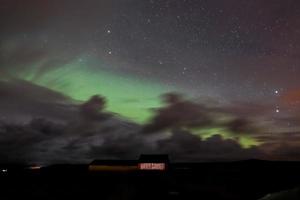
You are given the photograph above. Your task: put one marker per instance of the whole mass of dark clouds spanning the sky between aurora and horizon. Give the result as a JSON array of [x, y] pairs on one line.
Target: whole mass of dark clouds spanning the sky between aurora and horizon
[[59, 130]]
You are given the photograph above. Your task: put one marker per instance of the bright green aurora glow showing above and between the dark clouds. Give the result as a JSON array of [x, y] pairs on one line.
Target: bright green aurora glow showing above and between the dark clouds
[[128, 96]]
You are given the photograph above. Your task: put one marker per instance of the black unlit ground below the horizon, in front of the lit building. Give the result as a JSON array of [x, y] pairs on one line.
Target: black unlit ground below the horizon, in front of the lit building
[[245, 180]]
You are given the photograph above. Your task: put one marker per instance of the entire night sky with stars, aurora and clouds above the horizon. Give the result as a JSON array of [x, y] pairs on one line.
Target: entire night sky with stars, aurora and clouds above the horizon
[[199, 80]]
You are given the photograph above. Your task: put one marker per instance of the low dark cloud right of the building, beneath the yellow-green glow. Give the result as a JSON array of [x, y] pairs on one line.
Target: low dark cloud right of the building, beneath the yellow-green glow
[[185, 146]]
